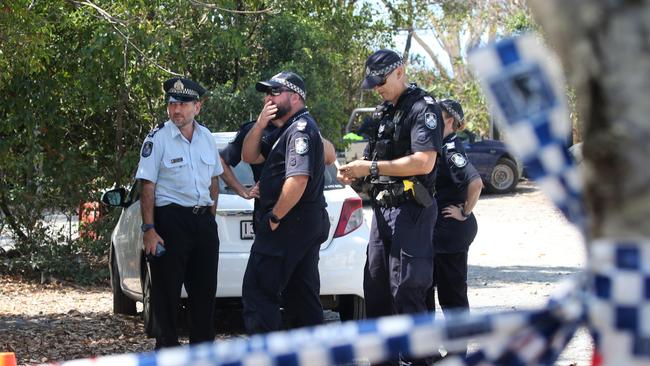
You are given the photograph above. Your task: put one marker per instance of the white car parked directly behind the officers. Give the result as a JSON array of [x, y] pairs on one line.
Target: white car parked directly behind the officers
[[342, 255]]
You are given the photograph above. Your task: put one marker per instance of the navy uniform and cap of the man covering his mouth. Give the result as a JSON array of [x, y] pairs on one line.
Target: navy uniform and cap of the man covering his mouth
[[284, 262]]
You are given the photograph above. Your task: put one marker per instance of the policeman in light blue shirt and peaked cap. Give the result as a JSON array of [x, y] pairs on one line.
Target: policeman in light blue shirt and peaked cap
[[179, 165]]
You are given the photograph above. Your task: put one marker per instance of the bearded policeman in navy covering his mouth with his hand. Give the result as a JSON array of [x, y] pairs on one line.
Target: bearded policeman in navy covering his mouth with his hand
[[284, 256]]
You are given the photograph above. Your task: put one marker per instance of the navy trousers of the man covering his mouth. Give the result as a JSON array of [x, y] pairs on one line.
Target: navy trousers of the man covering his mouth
[[282, 270]]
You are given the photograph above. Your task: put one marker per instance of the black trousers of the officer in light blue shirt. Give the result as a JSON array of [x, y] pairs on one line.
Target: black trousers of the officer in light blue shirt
[[191, 258]]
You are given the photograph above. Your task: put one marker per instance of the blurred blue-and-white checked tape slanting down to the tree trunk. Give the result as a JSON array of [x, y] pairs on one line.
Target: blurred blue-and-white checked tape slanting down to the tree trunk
[[525, 88]]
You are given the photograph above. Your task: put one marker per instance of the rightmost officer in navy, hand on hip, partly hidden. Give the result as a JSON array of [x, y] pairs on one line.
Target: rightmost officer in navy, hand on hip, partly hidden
[[458, 187]]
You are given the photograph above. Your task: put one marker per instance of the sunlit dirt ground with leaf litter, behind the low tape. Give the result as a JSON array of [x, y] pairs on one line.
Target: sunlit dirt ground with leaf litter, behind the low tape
[[524, 246]]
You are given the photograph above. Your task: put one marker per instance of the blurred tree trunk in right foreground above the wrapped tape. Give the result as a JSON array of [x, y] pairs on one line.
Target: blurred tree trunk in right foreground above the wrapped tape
[[605, 49]]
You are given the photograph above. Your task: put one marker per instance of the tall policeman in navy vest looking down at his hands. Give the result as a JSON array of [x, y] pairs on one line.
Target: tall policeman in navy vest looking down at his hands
[[400, 162]]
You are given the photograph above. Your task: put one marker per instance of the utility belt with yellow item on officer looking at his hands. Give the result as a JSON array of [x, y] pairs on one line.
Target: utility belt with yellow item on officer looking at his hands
[[388, 192]]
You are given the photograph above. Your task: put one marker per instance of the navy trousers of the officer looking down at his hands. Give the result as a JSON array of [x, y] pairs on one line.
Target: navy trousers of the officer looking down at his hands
[[398, 274]]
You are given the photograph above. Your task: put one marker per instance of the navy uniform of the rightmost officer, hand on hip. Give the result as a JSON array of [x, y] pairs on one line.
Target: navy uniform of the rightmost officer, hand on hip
[[452, 237]]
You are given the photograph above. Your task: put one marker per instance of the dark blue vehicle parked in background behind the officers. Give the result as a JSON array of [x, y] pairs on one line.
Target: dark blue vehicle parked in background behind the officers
[[498, 167]]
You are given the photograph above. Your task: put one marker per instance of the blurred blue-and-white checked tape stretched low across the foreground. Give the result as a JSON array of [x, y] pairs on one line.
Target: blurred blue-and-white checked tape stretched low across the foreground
[[518, 337]]
